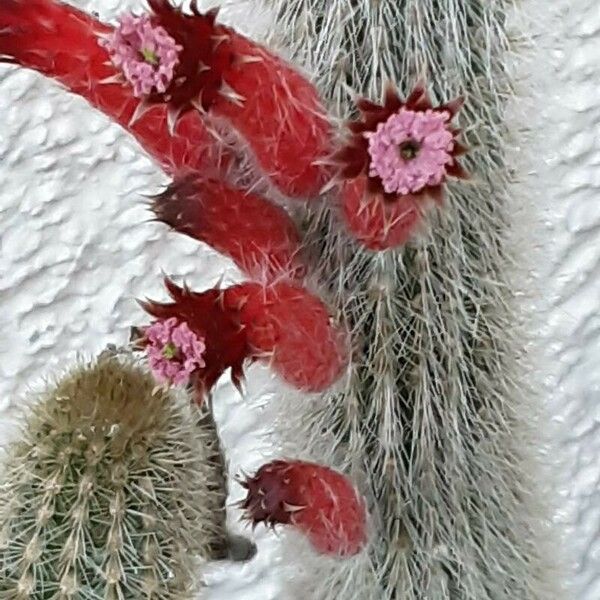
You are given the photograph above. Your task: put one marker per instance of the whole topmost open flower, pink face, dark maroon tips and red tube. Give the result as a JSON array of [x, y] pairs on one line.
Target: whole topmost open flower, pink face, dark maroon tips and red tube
[[241, 86]]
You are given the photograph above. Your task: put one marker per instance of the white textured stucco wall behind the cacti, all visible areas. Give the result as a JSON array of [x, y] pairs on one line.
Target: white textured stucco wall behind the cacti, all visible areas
[[76, 248]]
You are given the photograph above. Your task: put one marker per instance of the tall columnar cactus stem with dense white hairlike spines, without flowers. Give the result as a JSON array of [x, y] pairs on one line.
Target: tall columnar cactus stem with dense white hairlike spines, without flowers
[[435, 412]]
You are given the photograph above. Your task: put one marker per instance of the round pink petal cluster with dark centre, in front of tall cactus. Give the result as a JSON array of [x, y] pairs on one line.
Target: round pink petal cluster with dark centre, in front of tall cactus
[[410, 150]]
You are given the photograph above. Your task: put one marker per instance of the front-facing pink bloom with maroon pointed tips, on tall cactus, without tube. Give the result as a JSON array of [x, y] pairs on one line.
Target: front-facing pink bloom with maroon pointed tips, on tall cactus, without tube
[[403, 148]]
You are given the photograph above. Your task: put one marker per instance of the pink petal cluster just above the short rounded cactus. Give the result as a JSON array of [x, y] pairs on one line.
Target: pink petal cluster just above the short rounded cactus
[[174, 350]]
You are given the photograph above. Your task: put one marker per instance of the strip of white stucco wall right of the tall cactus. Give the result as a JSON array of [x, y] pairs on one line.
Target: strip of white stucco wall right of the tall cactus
[[570, 182]]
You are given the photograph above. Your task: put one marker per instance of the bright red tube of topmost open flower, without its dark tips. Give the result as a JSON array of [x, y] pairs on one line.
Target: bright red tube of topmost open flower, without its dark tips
[[280, 118]]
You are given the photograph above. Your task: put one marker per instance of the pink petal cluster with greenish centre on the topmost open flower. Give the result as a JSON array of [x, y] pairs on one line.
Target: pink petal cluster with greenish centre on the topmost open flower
[[146, 54]]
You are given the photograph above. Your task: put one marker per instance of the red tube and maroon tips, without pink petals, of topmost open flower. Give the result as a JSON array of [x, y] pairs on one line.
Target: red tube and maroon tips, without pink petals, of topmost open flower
[[271, 106]]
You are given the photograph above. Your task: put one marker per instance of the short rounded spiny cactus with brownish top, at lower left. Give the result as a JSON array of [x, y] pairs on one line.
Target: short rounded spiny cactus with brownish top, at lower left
[[108, 494]]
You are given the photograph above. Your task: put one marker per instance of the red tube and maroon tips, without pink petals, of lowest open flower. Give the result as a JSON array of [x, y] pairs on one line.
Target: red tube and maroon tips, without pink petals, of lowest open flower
[[281, 323]]
